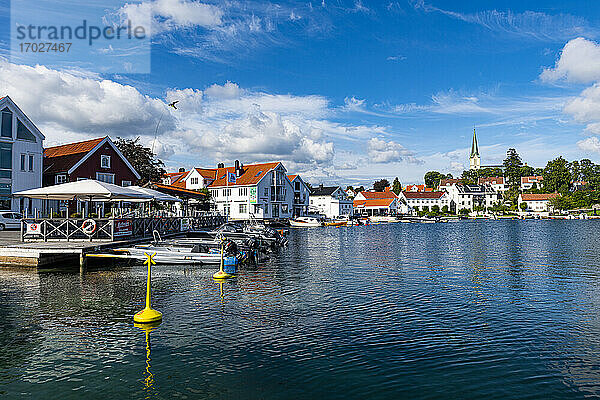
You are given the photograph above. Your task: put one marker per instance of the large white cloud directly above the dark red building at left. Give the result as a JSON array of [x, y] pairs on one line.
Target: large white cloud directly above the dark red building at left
[[79, 103]]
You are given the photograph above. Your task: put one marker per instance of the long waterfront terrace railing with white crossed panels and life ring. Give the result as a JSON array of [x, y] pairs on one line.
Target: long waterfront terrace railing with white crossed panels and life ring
[[103, 229]]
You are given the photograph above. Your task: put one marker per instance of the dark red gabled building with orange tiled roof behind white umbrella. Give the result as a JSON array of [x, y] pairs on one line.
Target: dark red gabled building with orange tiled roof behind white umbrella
[[98, 159]]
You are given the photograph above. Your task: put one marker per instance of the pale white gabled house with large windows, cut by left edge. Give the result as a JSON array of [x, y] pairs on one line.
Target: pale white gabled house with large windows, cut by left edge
[[21, 157]]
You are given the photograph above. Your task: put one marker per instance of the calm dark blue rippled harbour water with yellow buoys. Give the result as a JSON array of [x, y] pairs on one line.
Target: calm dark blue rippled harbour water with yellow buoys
[[498, 309]]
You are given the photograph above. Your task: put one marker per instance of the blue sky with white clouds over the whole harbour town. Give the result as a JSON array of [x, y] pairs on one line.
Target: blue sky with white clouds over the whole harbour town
[[341, 91]]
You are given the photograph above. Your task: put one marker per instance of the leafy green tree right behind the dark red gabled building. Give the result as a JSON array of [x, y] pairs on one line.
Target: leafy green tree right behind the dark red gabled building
[[150, 168]]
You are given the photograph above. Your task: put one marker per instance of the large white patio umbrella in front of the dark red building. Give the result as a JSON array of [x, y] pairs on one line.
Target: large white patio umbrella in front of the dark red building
[[85, 190]]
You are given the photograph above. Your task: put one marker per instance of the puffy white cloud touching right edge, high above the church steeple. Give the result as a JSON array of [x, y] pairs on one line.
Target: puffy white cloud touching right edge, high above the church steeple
[[579, 61]]
